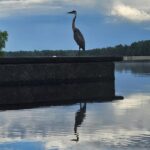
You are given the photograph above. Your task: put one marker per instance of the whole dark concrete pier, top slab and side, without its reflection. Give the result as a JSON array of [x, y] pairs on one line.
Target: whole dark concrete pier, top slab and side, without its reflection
[[41, 70]]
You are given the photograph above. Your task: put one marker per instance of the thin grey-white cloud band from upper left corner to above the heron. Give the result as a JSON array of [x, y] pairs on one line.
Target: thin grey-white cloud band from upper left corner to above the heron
[[11, 7]]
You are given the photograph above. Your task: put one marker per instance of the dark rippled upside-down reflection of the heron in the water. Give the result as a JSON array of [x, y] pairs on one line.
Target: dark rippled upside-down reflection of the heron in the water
[[79, 117]]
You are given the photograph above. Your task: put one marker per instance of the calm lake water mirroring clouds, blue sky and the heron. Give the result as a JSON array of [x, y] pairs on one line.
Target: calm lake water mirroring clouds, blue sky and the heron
[[123, 124]]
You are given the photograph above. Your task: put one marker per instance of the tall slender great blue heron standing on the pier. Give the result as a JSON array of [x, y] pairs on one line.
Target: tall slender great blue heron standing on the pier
[[78, 37]]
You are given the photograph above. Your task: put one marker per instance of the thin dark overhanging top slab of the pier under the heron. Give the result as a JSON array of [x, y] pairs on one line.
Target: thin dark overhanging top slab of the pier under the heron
[[41, 60]]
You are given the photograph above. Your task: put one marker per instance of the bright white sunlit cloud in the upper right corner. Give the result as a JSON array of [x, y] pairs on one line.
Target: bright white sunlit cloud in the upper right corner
[[134, 11]]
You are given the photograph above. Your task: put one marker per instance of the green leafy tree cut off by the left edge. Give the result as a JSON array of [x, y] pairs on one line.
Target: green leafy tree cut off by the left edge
[[3, 39]]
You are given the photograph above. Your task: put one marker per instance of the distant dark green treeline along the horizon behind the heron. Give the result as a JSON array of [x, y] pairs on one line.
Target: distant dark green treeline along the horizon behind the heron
[[141, 48]]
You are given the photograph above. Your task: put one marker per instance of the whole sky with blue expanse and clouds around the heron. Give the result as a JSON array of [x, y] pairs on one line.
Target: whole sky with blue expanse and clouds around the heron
[[44, 24]]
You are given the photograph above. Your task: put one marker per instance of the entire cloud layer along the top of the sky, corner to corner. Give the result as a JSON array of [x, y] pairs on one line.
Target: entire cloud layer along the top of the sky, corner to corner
[[136, 11]]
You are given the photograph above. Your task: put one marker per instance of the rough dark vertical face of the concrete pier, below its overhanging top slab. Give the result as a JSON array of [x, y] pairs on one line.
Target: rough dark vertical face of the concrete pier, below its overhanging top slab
[[50, 73]]
